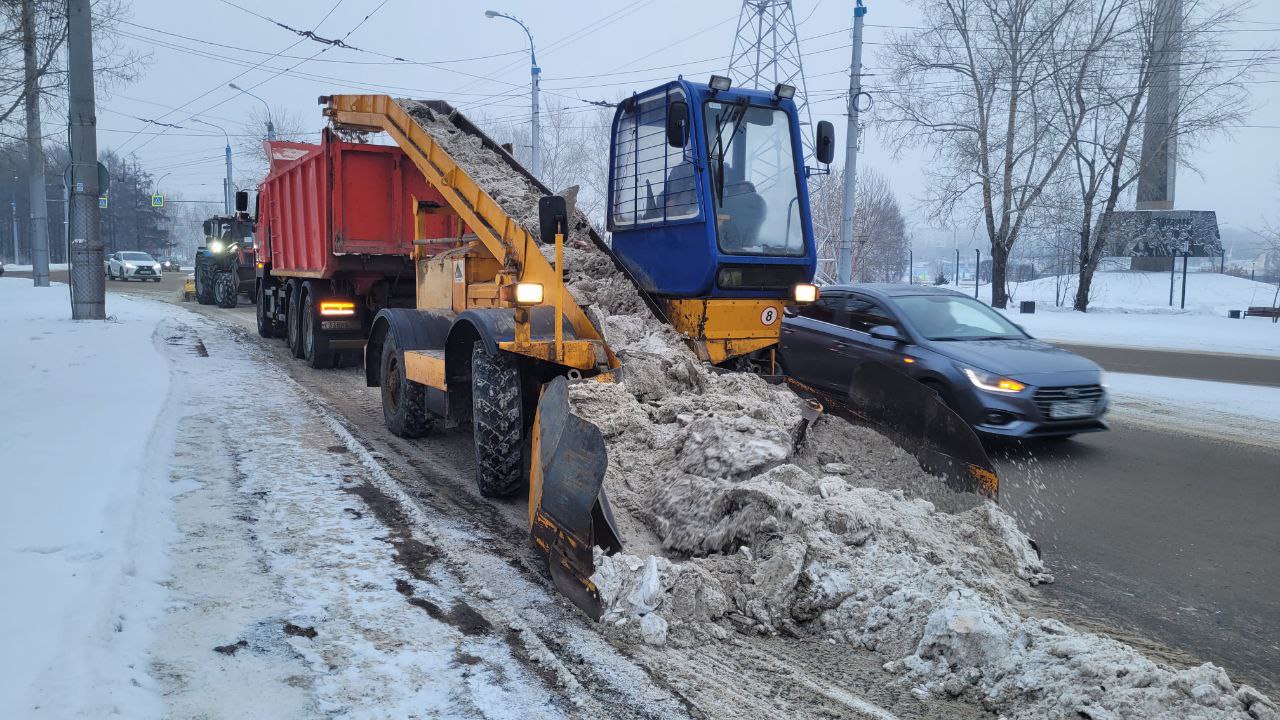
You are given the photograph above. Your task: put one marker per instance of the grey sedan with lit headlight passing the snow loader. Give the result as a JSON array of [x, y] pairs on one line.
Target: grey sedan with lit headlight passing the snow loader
[[996, 377]]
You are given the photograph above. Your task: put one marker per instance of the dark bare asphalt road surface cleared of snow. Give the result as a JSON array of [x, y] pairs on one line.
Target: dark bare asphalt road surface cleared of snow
[[1164, 535]]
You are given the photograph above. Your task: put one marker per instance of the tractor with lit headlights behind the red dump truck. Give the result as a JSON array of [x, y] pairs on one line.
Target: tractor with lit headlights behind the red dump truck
[[225, 263]]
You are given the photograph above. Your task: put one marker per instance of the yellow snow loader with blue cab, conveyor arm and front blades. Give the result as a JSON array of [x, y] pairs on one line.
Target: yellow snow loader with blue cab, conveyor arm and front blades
[[710, 221]]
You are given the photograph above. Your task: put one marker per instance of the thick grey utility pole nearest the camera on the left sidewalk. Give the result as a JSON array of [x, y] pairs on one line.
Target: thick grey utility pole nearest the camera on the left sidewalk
[[89, 284]]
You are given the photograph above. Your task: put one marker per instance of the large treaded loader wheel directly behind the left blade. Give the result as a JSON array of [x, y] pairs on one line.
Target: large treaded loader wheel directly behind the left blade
[[499, 423]]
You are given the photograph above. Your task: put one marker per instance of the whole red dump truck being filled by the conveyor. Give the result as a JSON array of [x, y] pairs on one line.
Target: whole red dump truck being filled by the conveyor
[[336, 226]]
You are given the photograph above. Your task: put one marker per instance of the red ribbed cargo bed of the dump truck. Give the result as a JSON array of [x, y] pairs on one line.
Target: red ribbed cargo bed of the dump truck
[[342, 207]]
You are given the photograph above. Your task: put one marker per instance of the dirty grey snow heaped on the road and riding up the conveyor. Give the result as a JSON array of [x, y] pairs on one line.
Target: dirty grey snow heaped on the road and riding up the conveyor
[[733, 523]]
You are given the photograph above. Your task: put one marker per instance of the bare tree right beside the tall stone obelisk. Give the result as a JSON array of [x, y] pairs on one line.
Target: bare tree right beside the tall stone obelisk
[[1206, 93]]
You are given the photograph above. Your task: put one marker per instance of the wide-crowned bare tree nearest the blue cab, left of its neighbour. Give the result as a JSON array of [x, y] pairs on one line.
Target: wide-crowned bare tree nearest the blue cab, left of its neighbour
[[979, 81]]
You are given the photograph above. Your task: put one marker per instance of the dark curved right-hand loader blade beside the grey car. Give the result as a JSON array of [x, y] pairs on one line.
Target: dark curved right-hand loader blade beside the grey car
[[917, 421]]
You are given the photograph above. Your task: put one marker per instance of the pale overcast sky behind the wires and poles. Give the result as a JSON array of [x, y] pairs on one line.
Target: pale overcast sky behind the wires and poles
[[589, 51]]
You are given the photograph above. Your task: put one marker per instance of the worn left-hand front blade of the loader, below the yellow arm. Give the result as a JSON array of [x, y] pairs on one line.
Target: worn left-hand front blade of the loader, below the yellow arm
[[569, 514]]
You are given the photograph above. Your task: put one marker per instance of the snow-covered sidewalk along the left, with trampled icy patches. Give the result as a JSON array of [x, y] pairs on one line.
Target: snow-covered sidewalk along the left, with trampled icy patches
[[189, 537]]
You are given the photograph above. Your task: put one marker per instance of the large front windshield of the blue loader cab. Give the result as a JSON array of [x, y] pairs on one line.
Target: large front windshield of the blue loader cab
[[755, 180]]
